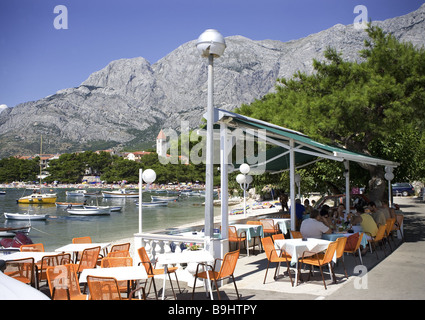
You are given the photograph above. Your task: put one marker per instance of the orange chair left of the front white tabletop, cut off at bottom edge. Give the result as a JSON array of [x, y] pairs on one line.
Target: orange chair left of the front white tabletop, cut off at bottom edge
[[63, 283]]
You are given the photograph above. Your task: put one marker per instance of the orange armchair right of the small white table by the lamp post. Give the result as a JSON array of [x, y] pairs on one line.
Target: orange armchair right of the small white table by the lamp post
[[227, 269]]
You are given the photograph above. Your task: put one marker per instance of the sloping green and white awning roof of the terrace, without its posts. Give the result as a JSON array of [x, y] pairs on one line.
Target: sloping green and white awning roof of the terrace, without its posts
[[306, 150]]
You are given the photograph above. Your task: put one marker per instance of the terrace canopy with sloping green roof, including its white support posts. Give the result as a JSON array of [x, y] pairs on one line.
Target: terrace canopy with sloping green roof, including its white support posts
[[291, 150]]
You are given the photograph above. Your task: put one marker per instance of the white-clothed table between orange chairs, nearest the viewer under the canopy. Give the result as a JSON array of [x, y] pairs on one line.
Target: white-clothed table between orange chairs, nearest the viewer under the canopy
[[296, 247]]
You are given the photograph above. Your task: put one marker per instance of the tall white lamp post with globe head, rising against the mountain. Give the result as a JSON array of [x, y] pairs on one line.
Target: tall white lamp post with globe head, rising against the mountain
[[211, 45]]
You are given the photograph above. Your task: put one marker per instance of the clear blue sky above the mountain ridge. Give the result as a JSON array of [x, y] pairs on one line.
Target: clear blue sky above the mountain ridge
[[36, 59]]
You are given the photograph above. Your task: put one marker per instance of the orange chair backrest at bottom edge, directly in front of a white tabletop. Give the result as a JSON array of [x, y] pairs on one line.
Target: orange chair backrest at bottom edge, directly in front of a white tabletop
[[103, 288]]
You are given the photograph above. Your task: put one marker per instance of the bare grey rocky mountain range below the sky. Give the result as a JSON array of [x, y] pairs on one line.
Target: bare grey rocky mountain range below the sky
[[130, 100]]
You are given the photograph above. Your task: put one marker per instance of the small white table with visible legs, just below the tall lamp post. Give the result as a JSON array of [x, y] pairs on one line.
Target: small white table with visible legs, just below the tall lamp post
[[186, 256]]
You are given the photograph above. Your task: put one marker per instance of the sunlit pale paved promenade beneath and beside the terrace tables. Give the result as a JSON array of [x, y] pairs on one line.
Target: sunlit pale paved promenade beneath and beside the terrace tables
[[399, 275]]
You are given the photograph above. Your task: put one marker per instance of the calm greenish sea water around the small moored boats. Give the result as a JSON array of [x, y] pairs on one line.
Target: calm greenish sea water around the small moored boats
[[60, 227]]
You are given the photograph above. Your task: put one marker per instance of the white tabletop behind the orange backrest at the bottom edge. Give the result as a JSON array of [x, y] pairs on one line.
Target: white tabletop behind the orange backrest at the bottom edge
[[119, 273]]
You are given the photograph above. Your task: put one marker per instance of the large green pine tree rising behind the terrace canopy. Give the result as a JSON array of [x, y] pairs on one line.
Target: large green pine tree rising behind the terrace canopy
[[374, 107]]
